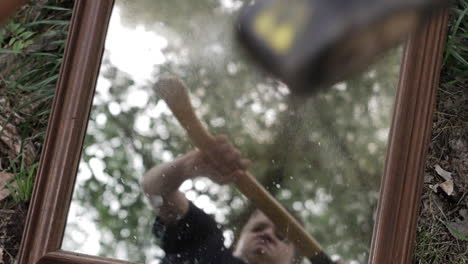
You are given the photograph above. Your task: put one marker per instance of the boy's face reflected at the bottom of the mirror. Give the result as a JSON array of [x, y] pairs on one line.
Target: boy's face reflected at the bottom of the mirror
[[260, 243]]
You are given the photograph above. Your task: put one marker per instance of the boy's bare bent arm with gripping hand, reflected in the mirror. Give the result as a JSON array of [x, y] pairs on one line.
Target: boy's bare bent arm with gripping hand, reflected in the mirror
[[222, 164]]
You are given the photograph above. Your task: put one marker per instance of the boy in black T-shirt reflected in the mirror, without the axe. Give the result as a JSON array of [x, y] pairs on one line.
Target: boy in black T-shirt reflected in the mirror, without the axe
[[188, 234]]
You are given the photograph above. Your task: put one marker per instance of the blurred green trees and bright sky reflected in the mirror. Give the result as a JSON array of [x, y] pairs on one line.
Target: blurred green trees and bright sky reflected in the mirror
[[322, 157]]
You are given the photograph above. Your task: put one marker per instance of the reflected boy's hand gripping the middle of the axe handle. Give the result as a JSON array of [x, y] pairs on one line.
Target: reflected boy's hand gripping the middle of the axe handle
[[222, 163]]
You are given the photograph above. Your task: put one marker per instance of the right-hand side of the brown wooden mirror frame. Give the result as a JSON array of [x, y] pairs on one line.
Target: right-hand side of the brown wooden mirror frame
[[400, 192]]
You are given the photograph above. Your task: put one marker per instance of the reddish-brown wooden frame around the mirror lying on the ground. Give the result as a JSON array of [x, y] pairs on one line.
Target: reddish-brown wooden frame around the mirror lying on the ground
[[400, 191]]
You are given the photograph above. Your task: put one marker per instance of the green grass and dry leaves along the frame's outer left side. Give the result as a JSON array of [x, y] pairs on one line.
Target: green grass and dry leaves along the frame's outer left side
[[31, 49]]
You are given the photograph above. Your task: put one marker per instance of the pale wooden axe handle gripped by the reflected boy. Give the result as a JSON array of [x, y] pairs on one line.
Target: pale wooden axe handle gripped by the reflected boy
[[176, 96]]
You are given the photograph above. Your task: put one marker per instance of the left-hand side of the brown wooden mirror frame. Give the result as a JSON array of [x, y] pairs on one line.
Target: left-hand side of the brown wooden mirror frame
[[53, 188]]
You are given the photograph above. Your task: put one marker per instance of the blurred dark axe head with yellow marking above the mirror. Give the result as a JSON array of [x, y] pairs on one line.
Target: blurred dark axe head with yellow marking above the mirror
[[309, 44]]
